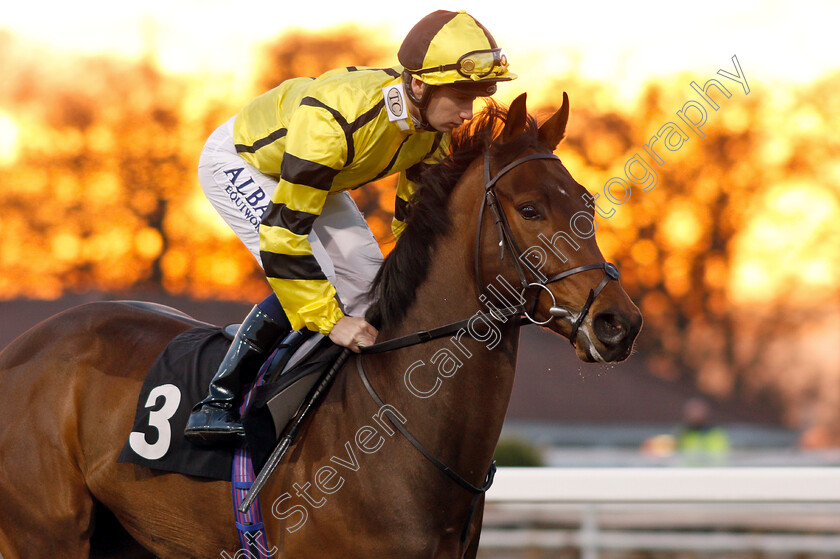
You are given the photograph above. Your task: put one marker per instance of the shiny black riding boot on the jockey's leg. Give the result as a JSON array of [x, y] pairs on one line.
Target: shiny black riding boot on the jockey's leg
[[215, 419]]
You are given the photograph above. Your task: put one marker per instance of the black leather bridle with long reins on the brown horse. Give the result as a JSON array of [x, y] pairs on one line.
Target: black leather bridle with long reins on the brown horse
[[506, 238]]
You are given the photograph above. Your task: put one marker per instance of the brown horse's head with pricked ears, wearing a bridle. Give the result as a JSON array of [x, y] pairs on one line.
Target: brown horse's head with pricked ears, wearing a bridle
[[537, 230]]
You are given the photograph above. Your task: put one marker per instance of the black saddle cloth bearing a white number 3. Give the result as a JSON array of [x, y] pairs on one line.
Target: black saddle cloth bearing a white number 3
[[179, 378]]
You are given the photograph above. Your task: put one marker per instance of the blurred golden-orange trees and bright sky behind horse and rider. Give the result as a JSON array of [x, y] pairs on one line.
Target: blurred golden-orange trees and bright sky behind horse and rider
[[734, 257]]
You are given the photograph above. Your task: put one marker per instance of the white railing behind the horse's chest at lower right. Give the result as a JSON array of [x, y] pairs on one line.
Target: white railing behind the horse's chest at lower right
[[782, 510]]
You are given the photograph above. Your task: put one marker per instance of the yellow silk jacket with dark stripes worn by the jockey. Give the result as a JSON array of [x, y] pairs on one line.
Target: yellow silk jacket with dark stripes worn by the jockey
[[321, 136]]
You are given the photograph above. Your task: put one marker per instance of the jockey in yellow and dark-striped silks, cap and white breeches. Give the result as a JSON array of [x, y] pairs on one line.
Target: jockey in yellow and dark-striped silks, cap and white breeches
[[279, 170]]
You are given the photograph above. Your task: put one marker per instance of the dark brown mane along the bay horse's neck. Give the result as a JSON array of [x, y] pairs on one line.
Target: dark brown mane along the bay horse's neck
[[406, 267]]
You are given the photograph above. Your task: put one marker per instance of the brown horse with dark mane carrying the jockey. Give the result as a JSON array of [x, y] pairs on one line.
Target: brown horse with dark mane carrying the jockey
[[351, 486]]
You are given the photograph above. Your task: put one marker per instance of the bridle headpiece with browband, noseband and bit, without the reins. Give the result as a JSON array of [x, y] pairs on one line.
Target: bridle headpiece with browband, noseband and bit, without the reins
[[506, 238]]
